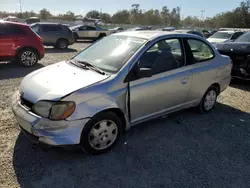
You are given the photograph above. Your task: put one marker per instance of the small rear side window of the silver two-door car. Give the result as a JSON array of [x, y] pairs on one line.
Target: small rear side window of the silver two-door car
[[200, 50]]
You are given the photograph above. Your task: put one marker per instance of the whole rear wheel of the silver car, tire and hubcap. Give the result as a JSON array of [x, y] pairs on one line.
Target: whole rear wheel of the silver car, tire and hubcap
[[209, 99]]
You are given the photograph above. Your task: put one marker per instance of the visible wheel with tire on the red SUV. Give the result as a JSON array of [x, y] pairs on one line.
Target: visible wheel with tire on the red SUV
[[27, 57]]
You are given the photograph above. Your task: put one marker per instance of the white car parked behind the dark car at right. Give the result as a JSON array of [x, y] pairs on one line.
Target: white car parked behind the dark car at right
[[224, 36]]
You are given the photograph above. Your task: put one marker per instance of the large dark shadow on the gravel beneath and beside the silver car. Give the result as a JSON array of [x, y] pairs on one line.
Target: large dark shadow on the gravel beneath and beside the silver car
[[183, 150]]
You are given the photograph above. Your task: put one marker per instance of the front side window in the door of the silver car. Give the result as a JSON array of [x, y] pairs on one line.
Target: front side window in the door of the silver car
[[165, 55]]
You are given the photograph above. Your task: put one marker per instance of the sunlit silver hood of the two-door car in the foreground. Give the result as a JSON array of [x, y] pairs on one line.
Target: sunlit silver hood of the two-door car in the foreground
[[55, 81]]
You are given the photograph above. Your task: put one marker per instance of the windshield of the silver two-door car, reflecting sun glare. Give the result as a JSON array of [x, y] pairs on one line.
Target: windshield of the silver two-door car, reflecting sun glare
[[111, 53]]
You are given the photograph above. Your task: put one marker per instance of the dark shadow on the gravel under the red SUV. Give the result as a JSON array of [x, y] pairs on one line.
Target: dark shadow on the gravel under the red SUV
[[11, 70]]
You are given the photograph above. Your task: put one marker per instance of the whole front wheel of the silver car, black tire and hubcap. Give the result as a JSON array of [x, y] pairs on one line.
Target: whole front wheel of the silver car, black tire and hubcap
[[99, 137]]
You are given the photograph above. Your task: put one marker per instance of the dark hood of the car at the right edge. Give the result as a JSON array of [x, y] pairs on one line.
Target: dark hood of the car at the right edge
[[234, 47]]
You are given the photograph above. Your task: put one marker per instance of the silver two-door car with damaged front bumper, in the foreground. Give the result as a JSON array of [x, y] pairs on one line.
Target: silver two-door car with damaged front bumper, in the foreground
[[120, 81]]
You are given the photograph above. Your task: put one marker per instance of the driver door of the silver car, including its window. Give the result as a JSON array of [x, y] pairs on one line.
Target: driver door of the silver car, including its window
[[167, 89]]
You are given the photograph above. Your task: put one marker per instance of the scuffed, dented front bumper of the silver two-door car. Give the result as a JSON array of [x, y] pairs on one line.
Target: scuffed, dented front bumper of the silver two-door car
[[64, 132]]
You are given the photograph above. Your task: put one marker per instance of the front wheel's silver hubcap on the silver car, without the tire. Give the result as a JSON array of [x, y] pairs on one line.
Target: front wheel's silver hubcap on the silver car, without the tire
[[103, 134]]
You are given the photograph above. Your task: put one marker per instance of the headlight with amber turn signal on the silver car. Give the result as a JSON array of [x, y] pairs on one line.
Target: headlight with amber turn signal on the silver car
[[54, 110]]
